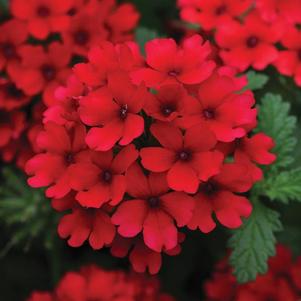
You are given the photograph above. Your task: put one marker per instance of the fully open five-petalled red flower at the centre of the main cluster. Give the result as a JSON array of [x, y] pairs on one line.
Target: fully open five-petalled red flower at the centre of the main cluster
[[187, 159]]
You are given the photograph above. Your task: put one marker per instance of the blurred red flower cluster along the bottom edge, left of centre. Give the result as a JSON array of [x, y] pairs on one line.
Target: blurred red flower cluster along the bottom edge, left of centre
[[94, 283]]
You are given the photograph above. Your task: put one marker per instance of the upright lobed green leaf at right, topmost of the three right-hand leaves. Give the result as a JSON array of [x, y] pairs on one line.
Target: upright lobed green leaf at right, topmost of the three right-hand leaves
[[275, 121]]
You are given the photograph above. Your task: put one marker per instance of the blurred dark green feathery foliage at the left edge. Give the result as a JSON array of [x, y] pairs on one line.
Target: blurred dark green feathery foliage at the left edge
[[24, 211]]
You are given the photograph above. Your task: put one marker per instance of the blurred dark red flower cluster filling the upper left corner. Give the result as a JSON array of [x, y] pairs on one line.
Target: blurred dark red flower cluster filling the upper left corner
[[38, 44]]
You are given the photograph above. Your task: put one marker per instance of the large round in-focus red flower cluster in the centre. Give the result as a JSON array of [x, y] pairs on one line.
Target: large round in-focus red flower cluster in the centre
[[137, 148]]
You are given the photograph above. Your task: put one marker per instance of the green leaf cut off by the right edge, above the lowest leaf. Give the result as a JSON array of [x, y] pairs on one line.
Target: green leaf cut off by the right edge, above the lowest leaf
[[284, 187]]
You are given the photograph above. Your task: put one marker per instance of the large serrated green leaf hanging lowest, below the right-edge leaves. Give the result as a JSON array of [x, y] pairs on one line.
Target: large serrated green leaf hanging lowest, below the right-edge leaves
[[254, 242]]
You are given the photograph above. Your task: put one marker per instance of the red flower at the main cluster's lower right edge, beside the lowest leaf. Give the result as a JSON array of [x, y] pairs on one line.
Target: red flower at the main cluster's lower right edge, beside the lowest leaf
[[217, 196]]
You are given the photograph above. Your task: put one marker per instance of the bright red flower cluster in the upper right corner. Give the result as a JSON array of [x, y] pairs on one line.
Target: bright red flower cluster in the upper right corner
[[249, 33]]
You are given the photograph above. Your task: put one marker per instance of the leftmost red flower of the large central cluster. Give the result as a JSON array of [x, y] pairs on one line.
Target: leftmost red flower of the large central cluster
[[62, 149]]
